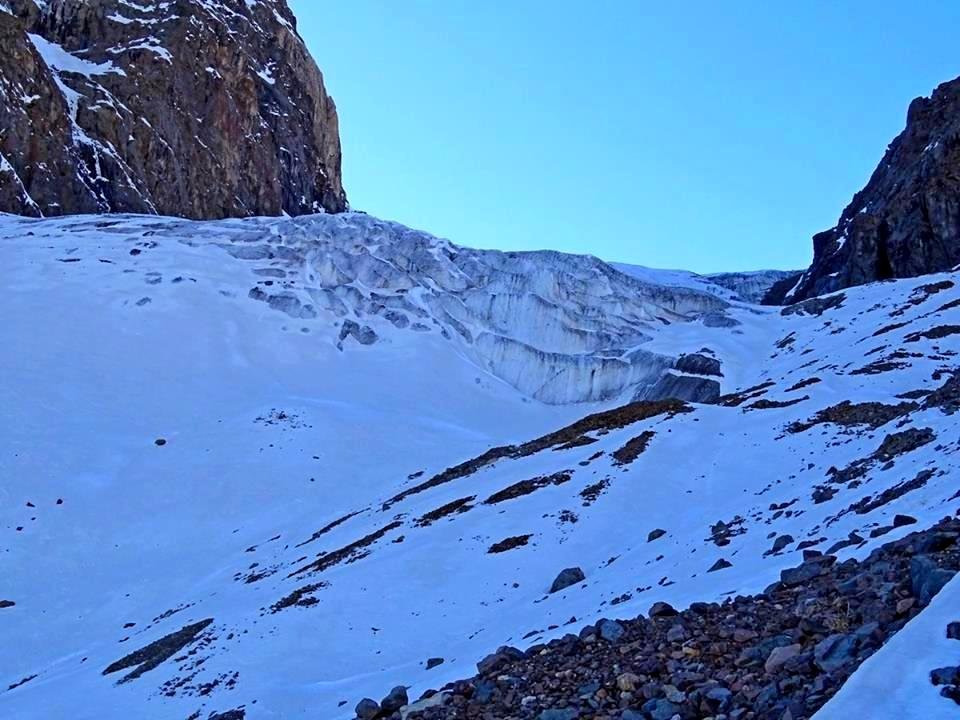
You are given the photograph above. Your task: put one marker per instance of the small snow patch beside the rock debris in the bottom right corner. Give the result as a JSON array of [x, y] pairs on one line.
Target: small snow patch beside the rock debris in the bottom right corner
[[895, 682]]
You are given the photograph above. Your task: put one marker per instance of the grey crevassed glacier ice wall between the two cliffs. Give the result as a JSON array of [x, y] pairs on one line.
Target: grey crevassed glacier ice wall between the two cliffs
[[559, 328]]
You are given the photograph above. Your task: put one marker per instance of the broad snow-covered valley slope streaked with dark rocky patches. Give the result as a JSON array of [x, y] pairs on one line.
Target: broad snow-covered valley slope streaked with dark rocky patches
[[297, 541]]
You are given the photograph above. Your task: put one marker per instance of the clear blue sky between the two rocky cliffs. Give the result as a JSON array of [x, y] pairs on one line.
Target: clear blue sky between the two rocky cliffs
[[704, 135]]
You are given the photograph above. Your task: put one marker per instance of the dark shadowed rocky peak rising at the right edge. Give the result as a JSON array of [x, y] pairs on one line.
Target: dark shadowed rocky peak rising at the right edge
[[906, 221]]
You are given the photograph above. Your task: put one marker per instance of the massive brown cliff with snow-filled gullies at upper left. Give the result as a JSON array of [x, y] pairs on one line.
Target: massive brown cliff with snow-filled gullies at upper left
[[201, 110]]
